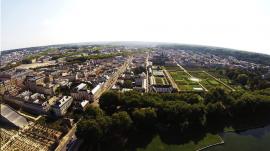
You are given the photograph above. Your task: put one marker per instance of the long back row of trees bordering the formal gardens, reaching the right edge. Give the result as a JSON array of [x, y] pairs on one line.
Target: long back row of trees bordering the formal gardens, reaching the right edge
[[188, 109]]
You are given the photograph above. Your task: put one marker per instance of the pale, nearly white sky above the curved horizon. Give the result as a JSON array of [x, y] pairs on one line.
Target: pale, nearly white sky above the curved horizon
[[238, 24]]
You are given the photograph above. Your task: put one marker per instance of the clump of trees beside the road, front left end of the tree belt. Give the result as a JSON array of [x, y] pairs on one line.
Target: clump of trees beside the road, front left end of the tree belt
[[96, 126]]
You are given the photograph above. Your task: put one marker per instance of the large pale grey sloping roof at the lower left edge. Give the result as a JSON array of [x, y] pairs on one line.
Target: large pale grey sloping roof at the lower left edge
[[12, 116]]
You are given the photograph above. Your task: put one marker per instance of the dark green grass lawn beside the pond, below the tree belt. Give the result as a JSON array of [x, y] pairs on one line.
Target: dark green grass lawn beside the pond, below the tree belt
[[158, 145]]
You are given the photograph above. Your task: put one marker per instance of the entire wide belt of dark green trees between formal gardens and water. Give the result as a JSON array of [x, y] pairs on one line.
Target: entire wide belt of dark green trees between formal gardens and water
[[188, 116]]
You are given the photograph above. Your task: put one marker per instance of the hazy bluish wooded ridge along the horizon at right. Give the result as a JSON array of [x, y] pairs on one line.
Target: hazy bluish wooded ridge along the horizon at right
[[225, 52]]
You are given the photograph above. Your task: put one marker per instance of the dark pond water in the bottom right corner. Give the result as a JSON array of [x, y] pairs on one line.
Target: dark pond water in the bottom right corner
[[249, 140]]
